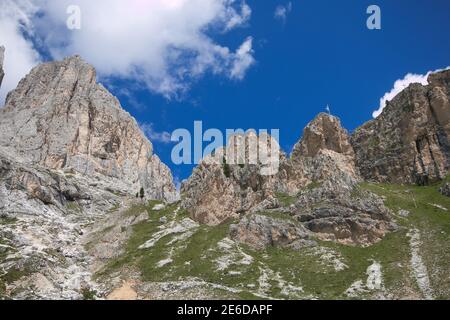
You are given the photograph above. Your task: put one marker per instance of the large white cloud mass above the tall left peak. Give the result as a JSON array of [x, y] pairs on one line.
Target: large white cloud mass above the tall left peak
[[165, 44]]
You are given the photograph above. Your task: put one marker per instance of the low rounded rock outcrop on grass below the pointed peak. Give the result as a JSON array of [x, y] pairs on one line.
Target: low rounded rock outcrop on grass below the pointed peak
[[340, 214]]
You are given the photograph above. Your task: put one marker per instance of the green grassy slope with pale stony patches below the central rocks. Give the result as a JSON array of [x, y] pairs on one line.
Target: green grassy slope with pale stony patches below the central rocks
[[197, 256]]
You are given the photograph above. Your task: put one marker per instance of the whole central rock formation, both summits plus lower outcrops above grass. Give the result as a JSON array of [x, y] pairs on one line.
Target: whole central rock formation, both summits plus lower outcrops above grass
[[319, 180]]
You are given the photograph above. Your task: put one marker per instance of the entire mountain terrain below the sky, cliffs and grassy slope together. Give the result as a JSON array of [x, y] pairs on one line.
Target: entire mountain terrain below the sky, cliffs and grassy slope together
[[70, 157]]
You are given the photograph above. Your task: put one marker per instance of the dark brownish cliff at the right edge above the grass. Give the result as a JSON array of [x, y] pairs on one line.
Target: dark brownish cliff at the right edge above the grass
[[409, 141]]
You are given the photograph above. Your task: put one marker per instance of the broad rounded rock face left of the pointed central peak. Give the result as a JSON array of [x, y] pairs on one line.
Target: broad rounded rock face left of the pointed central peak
[[218, 191]]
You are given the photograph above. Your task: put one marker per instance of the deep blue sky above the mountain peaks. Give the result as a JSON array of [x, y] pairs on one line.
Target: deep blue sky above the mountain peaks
[[322, 53]]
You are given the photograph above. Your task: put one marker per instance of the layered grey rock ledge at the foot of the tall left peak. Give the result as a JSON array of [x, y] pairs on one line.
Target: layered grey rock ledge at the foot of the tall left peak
[[34, 190]]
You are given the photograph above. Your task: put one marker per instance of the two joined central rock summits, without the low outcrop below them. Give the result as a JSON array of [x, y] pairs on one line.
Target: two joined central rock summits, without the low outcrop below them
[[212, 194]]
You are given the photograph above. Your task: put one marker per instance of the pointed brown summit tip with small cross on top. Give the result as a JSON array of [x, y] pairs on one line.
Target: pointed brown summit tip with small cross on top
[[323, 133]]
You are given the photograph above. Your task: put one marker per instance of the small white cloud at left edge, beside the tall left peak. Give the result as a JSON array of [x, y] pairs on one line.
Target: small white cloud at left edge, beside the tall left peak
[[20, 56]]
